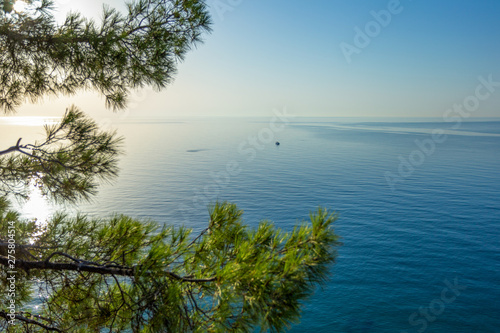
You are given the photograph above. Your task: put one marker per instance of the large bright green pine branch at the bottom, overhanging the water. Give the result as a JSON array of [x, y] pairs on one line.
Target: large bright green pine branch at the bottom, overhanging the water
[[228, 278]]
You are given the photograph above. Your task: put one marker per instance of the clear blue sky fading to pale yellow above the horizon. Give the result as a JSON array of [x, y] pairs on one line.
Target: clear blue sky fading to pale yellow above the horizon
[[319, 58]]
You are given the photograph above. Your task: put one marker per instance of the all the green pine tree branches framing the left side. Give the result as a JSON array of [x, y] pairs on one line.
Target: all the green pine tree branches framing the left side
[[122, 274]]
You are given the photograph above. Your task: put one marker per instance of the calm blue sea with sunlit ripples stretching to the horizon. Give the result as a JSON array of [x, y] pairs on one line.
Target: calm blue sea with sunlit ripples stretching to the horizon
[[418, 202]]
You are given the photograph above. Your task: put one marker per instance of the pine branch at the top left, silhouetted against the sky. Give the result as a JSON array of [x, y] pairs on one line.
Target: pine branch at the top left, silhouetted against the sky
[[40, 58]]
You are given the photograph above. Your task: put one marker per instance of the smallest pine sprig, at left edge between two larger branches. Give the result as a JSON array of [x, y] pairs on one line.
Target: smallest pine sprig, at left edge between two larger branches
[[68, 165]]
